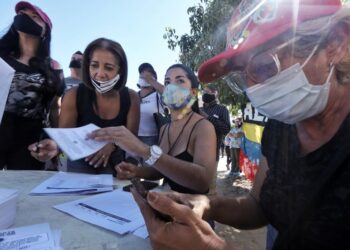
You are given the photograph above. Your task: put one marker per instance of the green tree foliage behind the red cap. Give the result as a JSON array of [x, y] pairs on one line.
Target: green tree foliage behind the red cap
[[208, 20]]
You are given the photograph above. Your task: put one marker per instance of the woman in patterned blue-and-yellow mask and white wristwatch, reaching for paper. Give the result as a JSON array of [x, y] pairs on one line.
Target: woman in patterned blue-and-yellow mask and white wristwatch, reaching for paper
[[186, 157]]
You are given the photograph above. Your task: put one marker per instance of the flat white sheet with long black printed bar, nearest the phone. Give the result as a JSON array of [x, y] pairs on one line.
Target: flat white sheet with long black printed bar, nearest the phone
[[116, 211]]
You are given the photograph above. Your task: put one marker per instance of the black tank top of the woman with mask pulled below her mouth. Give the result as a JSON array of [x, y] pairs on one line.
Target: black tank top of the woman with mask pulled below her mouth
[[86, 98]]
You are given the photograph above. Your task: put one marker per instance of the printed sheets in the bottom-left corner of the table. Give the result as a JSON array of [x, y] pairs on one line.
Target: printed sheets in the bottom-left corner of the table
[[34, 237]]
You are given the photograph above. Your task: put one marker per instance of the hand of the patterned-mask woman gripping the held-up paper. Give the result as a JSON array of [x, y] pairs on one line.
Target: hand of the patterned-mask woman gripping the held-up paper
[[122, 137]]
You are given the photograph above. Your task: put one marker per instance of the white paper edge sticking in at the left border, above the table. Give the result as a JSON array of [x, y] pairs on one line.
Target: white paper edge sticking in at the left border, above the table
[[6, 76]]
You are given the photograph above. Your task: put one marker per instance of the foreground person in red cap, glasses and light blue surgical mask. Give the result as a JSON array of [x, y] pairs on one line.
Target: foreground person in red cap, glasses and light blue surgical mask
[[292, 60]]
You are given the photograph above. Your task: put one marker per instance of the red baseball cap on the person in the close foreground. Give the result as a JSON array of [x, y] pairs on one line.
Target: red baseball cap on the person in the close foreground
[[255, 22]]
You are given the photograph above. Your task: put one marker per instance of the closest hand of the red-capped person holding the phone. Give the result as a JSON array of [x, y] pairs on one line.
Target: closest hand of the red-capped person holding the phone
[[186, 231]]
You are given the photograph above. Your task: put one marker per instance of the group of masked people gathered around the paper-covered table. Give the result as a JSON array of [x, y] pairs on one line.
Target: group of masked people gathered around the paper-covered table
[[290, 58]]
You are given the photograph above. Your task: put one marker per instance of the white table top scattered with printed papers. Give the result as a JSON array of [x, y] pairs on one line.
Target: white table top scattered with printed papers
[[76, 234]]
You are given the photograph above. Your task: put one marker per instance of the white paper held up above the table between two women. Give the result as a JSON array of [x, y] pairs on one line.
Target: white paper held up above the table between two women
[[73, 142]]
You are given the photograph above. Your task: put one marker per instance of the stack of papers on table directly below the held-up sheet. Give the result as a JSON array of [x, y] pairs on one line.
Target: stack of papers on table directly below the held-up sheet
[[64, 183]]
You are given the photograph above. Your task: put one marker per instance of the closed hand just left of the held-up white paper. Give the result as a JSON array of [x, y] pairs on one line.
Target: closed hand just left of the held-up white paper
[[44, 150]]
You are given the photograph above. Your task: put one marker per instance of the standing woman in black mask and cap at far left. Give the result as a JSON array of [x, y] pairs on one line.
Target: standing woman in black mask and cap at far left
[[35, 88]]
